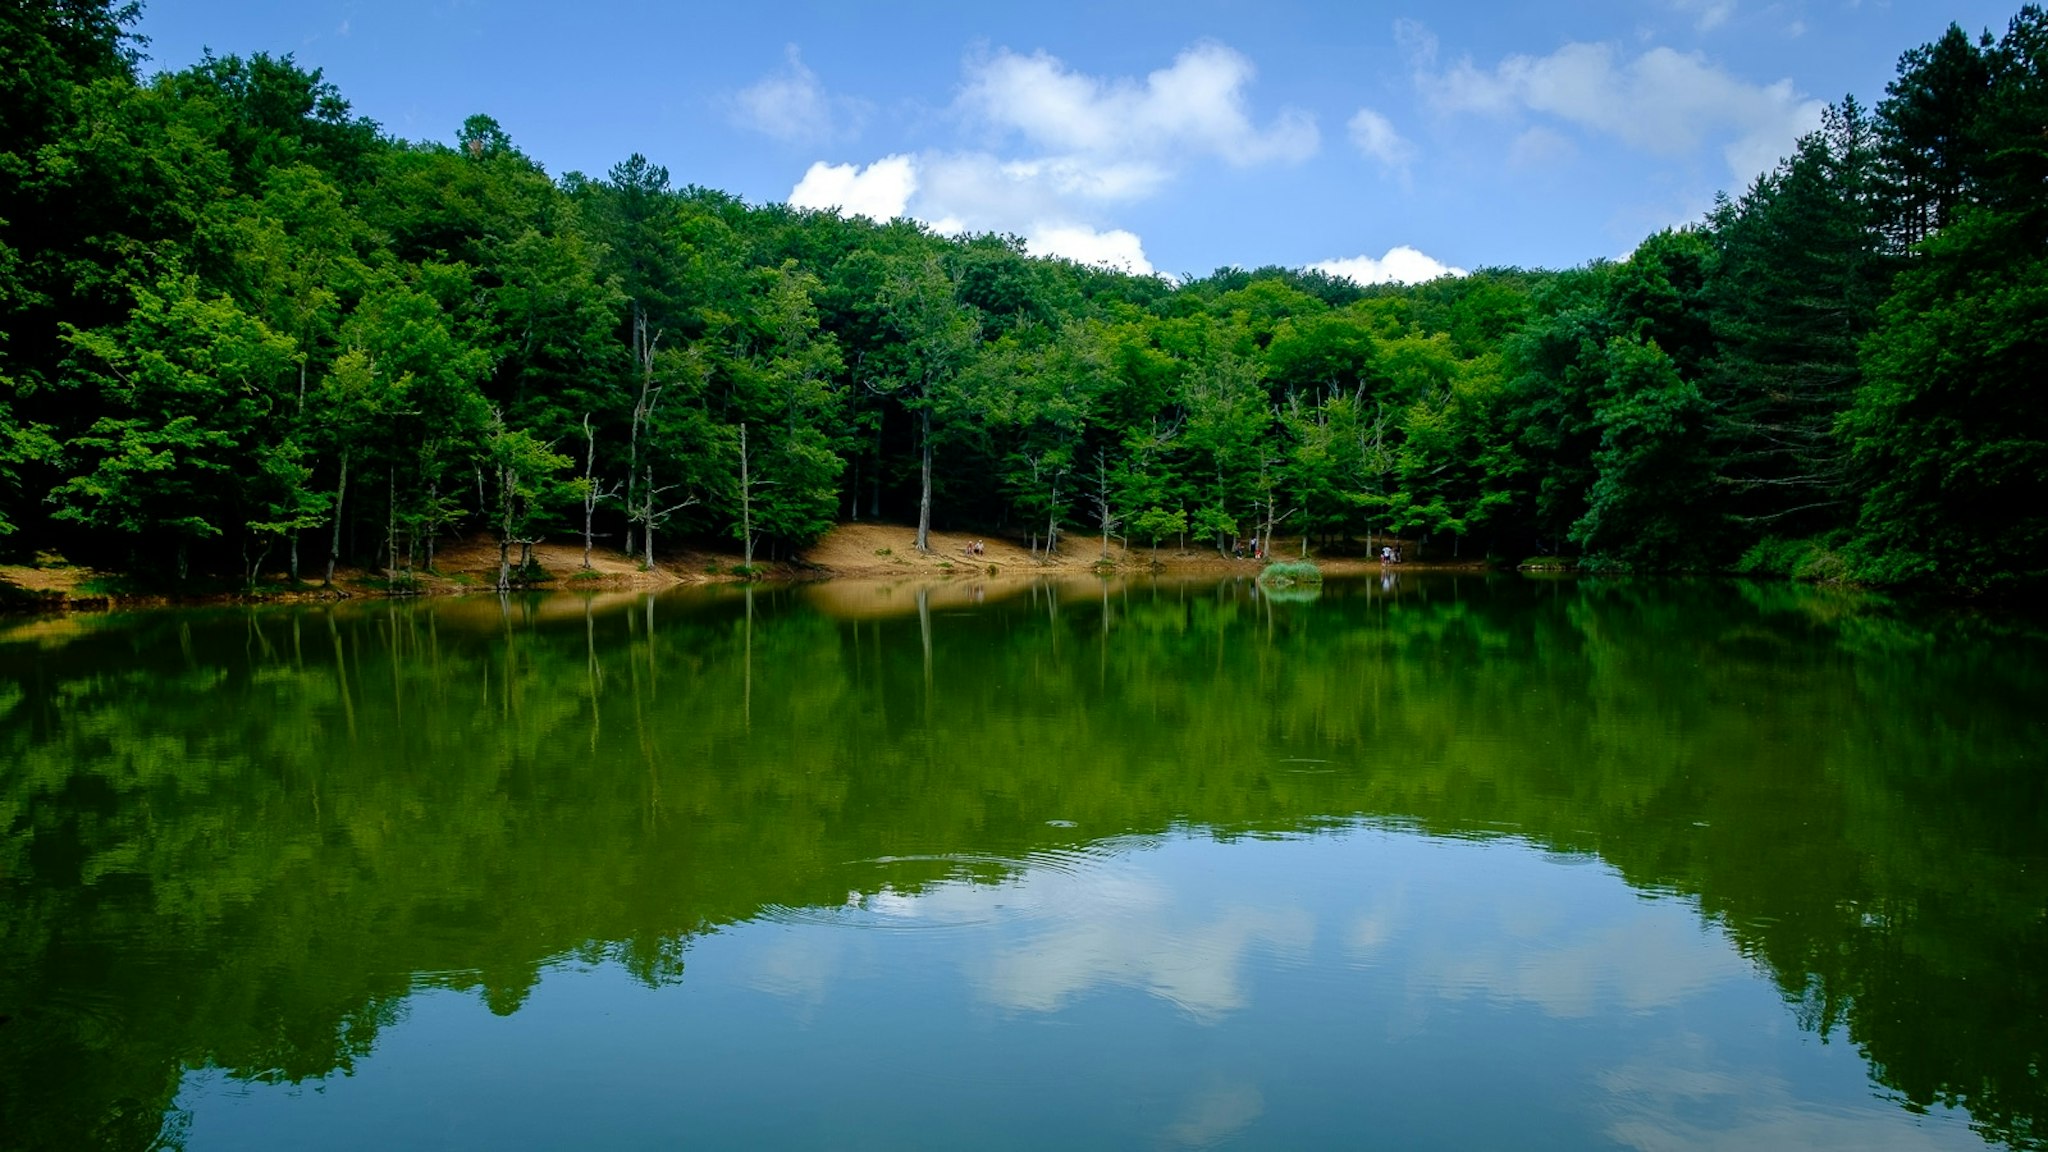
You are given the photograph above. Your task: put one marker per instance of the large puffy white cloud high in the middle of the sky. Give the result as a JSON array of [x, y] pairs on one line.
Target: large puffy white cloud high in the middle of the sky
[[1189, 110]]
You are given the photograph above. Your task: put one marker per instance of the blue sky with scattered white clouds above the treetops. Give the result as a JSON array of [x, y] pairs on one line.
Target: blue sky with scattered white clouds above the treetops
[[1375, 138]]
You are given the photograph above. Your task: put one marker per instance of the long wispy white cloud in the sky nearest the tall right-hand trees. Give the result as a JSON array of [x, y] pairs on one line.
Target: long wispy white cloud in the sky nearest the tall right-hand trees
[[1662, 101]]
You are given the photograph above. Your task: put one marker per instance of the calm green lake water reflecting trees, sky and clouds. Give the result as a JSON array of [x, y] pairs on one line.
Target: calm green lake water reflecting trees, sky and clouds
[[1412, 864]]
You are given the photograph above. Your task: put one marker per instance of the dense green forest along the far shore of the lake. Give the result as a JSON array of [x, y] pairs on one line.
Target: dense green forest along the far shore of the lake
[[245, 331]]
